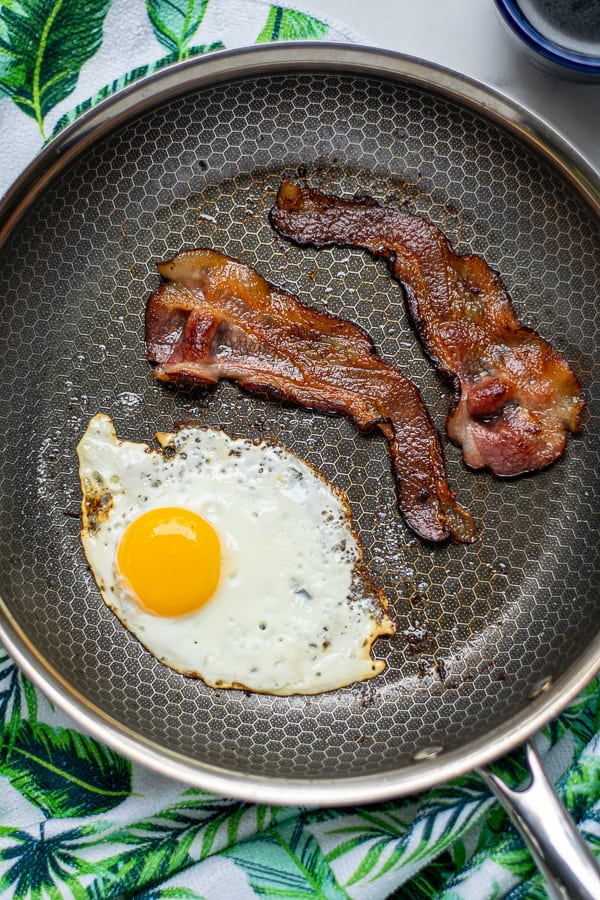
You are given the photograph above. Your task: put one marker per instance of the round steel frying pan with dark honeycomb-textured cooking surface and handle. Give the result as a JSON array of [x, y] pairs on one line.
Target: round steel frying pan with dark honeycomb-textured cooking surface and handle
[[493, 638]]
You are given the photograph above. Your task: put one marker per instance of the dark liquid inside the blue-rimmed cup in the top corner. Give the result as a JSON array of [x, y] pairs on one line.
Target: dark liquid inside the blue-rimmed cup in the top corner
[[572, 24]]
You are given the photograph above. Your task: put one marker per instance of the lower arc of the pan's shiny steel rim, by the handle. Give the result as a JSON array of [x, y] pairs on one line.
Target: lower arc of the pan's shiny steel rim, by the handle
[[252, 788]]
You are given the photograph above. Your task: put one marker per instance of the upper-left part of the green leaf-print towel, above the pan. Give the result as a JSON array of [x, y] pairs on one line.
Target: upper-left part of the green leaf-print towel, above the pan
[[60, 57]]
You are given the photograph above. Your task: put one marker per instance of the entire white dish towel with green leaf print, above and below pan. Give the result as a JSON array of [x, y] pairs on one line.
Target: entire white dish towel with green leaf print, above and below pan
[[76, 819]]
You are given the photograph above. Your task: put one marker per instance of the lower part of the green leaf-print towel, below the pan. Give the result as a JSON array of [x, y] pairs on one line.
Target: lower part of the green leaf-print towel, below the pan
[[90, 833]]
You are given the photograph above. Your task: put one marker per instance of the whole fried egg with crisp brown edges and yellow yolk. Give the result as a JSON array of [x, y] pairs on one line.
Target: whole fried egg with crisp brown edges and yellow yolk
[[230, 560]]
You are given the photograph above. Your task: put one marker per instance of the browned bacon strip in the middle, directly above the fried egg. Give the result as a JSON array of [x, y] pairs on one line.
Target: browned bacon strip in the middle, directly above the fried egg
[[213, 317]]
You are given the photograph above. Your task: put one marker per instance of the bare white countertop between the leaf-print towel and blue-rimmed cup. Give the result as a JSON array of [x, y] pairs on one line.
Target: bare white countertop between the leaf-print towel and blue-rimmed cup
[[468, 36]]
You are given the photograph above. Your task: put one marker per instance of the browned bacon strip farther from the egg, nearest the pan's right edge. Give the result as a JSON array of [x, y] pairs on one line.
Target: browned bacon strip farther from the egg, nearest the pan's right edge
[[515, 397]]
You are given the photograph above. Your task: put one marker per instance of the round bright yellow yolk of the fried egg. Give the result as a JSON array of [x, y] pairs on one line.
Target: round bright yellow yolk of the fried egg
[[171, 559]]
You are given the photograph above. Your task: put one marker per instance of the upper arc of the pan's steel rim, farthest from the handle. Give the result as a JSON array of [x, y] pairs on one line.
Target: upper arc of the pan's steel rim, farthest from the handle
[[229, 65]]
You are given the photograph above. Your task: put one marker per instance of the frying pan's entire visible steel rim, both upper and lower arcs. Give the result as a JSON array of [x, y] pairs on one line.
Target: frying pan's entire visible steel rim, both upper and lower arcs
[[141, 96]]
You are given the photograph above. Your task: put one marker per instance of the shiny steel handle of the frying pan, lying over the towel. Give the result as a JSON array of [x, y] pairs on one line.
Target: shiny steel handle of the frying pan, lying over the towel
[[557, 847]]
